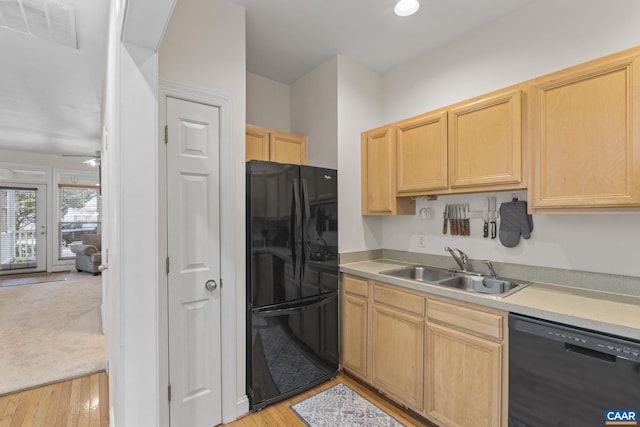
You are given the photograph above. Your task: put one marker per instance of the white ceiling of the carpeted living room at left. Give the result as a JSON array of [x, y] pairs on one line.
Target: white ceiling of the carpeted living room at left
[[51, 94]]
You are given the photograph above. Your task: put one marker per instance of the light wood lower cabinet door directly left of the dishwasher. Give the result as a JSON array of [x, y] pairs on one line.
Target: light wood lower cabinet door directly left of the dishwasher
[[463, 380]]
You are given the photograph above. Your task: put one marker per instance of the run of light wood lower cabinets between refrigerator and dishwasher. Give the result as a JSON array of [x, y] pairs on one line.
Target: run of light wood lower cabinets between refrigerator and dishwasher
[[442, 358]]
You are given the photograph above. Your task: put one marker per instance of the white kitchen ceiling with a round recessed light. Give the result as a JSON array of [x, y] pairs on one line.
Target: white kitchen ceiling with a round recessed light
[[288, 38]]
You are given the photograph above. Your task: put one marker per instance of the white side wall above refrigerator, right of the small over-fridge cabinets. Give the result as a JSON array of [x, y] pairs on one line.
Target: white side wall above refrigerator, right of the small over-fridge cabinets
[[314, 113]]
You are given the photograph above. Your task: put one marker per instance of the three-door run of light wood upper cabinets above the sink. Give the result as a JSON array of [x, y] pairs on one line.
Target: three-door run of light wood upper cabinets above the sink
[[471, 146]]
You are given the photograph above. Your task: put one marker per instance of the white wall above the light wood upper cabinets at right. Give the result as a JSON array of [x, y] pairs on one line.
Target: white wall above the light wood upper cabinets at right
[[544, 36]]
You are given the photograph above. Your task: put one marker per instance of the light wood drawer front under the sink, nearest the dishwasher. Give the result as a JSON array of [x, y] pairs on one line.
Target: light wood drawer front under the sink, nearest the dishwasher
[[479, 323]]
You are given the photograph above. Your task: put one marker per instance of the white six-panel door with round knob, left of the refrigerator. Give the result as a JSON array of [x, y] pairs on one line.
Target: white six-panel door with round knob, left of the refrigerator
[[194, 263]]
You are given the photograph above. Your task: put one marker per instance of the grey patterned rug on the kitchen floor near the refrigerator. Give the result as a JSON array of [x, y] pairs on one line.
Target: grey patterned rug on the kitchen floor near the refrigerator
[[340, 406]]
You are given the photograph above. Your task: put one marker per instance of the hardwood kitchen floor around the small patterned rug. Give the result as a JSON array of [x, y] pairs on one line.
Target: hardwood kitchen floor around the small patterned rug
[[280, 414]]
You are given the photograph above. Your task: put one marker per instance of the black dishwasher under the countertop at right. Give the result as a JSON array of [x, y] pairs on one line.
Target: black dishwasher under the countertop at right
[[565, 376]]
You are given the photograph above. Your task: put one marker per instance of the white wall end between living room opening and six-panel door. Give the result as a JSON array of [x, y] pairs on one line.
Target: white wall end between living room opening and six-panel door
[[130, 195]]
